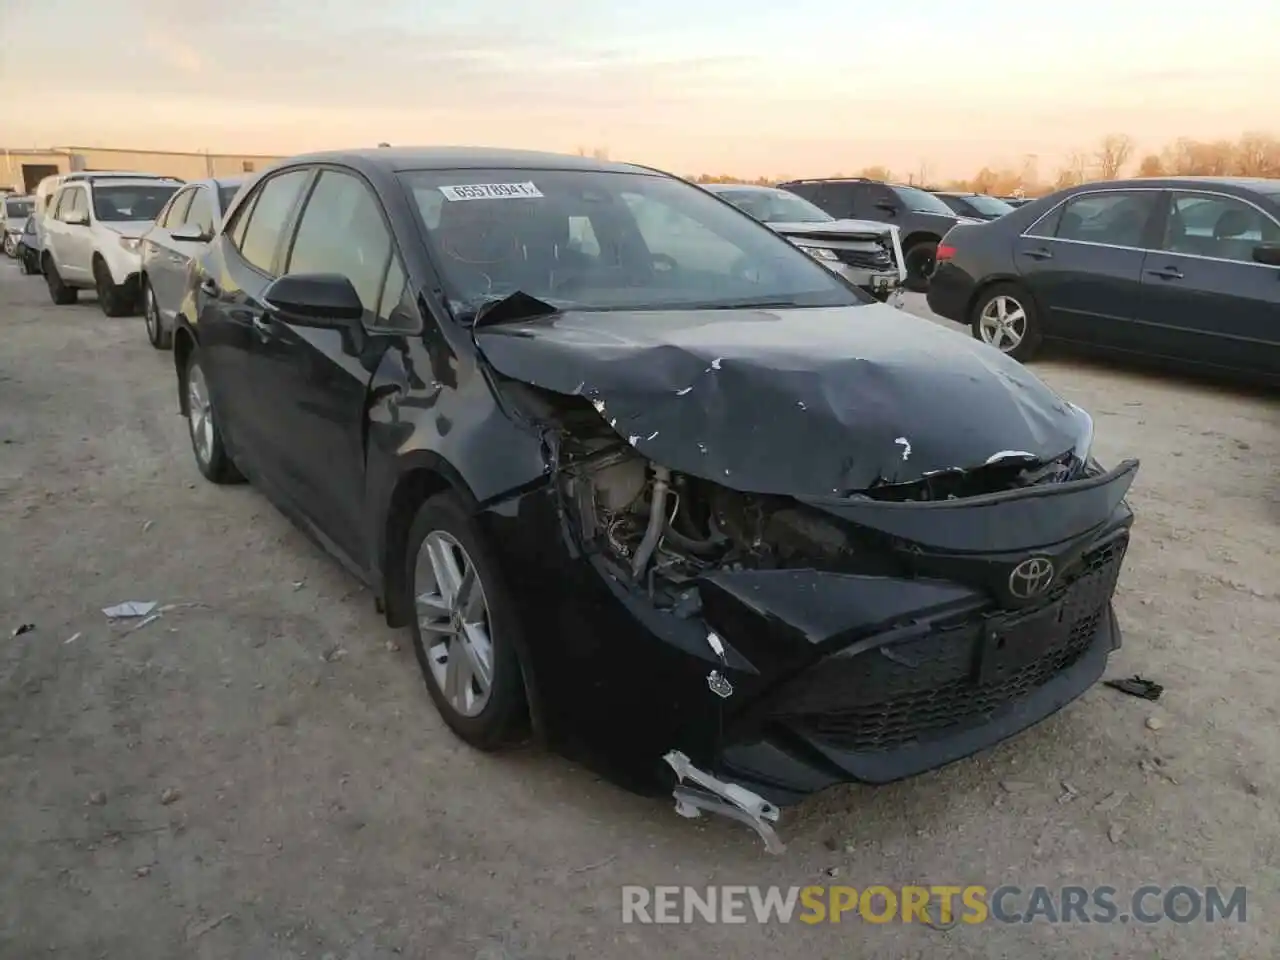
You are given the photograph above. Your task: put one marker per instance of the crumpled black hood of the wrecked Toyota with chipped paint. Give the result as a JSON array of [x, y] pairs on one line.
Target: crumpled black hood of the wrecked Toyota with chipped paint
[[806, 403]]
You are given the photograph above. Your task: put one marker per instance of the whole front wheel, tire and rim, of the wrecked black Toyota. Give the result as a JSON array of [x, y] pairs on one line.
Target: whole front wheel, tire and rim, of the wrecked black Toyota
[[465, 627]]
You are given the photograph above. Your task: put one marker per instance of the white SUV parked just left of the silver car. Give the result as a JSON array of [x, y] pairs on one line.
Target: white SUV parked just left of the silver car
[[92, 237]]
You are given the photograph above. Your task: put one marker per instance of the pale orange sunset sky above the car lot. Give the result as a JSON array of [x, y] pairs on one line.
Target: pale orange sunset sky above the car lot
[[804, 88]]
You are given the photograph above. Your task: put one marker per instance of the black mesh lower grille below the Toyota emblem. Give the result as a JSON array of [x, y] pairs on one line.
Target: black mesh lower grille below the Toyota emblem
[[916, 692]]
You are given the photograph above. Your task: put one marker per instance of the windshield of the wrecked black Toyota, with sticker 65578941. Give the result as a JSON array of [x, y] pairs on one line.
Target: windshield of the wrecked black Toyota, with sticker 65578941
[[592, 240]]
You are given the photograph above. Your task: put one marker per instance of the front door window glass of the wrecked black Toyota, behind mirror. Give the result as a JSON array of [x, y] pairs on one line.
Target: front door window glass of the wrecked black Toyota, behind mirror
[[342, 232]]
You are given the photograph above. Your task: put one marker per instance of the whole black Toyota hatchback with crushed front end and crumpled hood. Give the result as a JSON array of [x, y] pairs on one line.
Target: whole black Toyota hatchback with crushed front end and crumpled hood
[[646, 478]]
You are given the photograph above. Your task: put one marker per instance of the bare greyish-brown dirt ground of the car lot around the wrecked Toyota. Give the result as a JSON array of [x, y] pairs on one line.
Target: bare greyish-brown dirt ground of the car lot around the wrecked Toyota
[[262, 774]]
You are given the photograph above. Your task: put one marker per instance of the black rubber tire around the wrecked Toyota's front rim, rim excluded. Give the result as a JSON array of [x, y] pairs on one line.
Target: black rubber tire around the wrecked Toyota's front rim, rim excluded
[[505, 717]]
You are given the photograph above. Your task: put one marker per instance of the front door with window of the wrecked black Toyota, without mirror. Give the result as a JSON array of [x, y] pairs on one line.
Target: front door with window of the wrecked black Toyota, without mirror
[[317, 381]]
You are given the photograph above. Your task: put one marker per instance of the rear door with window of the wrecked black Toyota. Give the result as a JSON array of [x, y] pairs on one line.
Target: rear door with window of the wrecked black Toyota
[[232, 278]]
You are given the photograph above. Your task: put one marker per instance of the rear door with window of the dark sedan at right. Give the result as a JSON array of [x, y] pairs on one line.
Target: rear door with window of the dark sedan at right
[[1084, 263]]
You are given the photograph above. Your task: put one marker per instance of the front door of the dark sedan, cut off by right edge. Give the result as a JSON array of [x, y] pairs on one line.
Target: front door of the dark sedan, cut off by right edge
[[1204, 296]]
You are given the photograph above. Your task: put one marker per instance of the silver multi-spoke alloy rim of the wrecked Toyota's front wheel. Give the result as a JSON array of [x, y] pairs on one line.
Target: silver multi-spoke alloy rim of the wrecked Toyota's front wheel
[[454, 620]]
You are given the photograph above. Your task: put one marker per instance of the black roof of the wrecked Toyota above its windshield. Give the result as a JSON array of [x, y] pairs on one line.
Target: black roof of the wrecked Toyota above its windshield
[[403, 159]]
